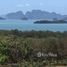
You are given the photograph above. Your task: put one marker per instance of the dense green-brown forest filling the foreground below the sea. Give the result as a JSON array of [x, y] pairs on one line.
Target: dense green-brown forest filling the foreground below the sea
[[33, 48]]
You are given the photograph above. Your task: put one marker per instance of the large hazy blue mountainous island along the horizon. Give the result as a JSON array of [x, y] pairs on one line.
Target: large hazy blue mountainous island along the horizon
[[34, 14]]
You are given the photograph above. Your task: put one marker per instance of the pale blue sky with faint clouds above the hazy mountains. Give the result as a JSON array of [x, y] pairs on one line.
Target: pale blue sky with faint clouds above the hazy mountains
[[58, 6]]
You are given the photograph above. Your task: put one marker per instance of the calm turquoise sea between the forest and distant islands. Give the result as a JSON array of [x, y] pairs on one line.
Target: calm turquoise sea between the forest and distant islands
[[28, 25]]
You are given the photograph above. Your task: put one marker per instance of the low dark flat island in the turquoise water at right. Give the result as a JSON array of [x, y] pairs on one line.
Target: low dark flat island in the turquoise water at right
[[49, 21]]
